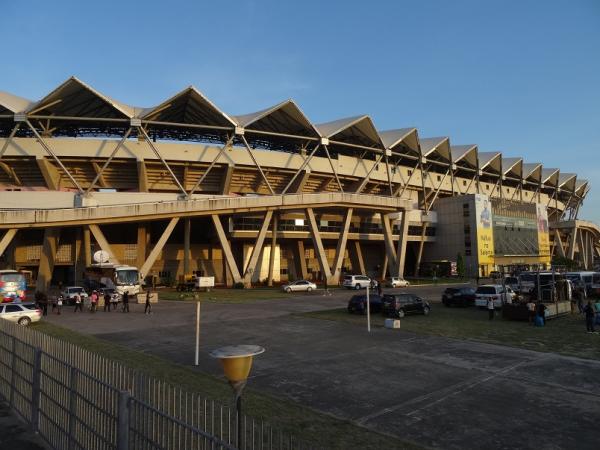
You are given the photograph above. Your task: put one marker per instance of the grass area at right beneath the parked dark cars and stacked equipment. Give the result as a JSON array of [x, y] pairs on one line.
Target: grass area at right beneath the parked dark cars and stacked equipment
[[564, 335]]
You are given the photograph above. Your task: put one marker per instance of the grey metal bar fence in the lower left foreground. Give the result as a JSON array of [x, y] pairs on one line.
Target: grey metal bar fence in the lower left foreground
[[75, 399]]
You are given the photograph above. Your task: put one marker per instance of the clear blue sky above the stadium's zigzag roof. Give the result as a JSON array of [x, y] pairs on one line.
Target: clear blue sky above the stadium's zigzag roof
[[521, 77]]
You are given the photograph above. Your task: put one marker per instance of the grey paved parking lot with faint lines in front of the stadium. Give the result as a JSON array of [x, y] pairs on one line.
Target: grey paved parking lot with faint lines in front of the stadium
[[431, 390]]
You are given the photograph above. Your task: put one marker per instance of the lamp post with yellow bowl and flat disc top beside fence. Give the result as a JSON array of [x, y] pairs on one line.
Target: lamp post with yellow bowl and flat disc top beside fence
[[237, 362]]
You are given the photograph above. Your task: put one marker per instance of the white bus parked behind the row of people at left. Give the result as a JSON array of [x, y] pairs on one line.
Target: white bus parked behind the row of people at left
[[119, 277]]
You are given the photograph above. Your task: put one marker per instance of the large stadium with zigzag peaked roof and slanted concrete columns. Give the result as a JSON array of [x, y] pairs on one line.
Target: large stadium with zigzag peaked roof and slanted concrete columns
[[269, 196]]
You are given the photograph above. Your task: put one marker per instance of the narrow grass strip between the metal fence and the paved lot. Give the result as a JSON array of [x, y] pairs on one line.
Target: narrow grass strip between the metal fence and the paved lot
[[310, 426]]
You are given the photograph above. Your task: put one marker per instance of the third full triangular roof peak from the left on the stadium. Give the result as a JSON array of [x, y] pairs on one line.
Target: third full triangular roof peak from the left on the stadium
[[284, 118]]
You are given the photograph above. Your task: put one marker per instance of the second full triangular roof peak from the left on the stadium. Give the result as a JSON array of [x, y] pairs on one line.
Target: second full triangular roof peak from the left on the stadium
[[188, 107]]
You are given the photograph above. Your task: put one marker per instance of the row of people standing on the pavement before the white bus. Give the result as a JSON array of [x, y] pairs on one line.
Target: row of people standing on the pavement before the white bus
[[110, 302]]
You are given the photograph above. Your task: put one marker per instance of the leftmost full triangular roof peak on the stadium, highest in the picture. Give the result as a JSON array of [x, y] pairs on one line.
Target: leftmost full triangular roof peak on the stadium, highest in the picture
[[74, 98]]
